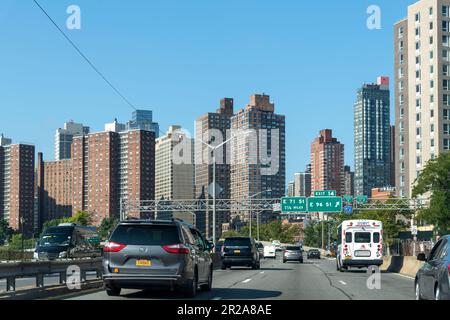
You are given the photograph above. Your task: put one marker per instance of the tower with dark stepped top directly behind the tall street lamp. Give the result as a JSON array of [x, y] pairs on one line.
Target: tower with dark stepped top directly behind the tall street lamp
[[213, 128]]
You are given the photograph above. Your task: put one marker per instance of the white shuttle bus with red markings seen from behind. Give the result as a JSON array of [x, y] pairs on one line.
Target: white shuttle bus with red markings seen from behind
[[360, 244]]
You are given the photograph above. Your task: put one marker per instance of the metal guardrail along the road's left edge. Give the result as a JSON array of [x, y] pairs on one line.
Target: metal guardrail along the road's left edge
[[40, 269]]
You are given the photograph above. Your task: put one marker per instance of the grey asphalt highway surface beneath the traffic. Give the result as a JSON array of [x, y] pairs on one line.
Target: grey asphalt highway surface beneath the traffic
[[313, 280]]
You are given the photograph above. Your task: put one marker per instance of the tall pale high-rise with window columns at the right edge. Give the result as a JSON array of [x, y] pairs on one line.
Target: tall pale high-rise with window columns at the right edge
[[422, 89]]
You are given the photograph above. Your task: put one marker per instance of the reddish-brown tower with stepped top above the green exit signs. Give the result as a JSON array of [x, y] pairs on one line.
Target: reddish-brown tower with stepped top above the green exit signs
[[327, 163]]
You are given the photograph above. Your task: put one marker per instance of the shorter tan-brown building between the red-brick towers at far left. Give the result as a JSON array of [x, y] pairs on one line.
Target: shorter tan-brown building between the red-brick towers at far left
[[54, 188]]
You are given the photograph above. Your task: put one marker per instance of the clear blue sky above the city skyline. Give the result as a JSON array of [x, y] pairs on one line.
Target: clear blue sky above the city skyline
[[179, 58]]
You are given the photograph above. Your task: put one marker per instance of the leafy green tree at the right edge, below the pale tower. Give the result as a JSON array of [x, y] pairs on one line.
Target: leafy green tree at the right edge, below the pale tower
[[435, 180]]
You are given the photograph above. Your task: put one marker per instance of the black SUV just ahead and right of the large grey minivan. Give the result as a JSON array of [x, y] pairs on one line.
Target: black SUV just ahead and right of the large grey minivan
[[240, 251]]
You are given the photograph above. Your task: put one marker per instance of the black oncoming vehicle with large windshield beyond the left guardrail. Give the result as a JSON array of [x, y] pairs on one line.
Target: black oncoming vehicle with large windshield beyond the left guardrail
[[68, 241]]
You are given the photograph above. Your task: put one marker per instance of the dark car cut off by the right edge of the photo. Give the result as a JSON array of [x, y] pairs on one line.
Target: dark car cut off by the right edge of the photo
[[433, 279]]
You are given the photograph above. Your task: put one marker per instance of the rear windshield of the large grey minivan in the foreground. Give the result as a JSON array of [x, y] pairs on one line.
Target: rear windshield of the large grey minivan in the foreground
[[146, 235]]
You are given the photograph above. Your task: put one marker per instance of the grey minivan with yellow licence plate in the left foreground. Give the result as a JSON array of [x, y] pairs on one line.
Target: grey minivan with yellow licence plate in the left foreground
[[142, 254]]
